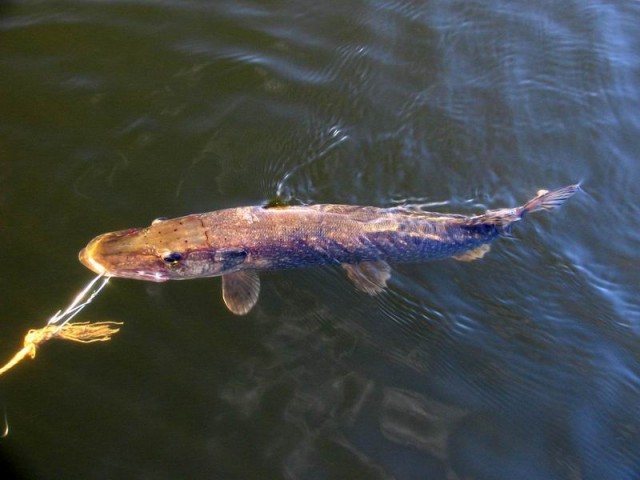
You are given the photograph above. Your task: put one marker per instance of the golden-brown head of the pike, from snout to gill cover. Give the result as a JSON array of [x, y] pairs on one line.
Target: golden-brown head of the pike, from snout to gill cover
[[166, 250]]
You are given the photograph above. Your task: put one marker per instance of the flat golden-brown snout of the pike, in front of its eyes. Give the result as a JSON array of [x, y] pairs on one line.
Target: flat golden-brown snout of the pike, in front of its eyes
[[122, 254]]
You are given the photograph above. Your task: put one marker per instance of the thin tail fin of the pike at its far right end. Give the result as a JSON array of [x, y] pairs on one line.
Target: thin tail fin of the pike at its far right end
[[505, 217]]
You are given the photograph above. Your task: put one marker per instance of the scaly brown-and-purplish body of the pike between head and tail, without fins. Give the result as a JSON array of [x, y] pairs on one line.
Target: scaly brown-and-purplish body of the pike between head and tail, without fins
[[303, 237]]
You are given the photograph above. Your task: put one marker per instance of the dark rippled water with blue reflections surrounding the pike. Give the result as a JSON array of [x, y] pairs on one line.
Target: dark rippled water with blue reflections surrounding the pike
[[524, 365]]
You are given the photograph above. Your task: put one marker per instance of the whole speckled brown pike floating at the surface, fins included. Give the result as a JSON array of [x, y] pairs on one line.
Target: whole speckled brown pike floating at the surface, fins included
[[238, 243]]
